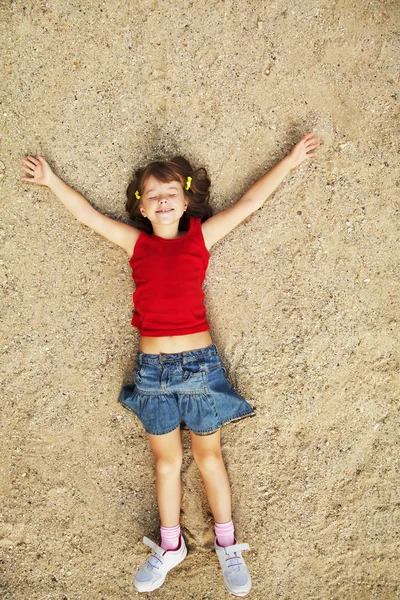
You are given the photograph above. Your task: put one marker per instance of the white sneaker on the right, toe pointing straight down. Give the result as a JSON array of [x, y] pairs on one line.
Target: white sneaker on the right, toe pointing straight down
[[237, 578]]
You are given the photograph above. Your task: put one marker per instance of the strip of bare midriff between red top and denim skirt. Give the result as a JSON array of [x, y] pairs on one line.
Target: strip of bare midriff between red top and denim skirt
[[175, 343]]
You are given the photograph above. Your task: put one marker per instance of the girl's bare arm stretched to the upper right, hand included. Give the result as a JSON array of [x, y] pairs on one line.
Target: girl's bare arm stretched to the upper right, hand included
[[221, 224]]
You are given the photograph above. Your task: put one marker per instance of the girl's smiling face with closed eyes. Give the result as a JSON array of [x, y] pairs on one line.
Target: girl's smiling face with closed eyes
[[163, 203]]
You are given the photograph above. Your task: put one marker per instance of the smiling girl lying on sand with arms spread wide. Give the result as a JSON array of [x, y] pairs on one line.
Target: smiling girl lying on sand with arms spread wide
[[179, 379]]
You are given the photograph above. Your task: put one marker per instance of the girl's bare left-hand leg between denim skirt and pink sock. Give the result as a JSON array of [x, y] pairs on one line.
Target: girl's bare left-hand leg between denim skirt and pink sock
[[167, 450]]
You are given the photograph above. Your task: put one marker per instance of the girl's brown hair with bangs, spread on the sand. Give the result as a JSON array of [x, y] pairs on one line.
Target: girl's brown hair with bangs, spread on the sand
[[177, 169]]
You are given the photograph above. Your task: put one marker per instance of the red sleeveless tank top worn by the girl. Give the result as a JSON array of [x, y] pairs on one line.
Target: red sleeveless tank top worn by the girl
[[169, 274]]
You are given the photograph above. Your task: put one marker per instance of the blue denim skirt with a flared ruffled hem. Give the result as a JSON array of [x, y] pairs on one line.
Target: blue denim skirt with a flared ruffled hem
[[188, 389]]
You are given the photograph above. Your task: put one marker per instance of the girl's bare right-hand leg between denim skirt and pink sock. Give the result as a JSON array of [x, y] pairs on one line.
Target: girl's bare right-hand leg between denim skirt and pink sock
[[208, 457]]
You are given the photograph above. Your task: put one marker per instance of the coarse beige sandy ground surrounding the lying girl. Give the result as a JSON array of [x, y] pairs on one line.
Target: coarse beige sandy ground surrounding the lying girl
[[302, 297]]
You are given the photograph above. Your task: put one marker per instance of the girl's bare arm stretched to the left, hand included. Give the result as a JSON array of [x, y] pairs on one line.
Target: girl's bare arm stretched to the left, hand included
[[119, 233]]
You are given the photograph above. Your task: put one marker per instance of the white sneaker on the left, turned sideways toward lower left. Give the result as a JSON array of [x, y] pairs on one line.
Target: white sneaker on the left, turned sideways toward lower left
[[152, 575]]
